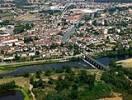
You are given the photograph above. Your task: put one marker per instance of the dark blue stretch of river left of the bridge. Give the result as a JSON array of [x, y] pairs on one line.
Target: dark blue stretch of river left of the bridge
[[45, 67]]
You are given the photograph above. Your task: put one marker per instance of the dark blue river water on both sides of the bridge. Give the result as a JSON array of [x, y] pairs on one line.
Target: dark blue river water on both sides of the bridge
[[44, 67]]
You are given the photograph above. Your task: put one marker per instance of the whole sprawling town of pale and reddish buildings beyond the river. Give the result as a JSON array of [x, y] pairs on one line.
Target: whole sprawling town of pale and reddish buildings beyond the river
[[54, 29]]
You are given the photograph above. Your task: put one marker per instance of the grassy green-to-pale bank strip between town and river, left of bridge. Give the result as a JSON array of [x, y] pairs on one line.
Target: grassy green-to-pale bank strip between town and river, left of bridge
[[5, 67]]
